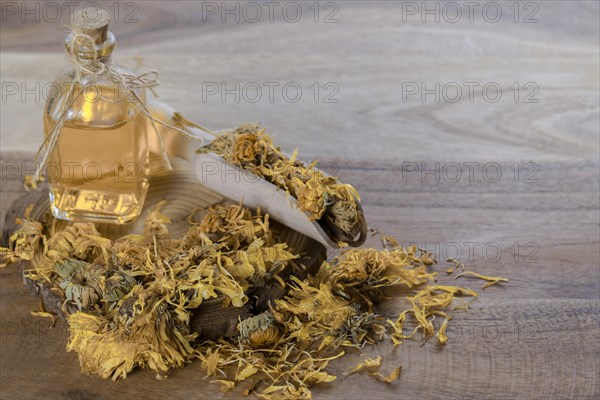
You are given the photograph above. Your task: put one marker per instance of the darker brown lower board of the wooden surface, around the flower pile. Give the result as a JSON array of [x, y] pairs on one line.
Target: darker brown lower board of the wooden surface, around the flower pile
[[536, 336]]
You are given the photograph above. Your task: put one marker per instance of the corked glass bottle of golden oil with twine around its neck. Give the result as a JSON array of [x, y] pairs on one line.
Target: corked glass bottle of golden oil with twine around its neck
[[98, 168]]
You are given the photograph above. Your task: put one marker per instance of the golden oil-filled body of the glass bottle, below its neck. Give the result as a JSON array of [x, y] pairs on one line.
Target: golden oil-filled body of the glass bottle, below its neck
[[98, 169]]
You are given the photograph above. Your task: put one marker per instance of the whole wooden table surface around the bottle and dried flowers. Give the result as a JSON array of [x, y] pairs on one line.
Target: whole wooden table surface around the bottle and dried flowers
[[515, 192]]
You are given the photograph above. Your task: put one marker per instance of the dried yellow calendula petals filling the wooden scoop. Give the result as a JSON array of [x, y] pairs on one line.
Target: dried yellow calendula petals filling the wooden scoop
[[321, 196]]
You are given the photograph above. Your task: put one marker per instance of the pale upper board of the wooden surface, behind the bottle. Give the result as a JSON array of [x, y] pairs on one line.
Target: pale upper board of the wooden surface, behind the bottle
[[369, 54]]
